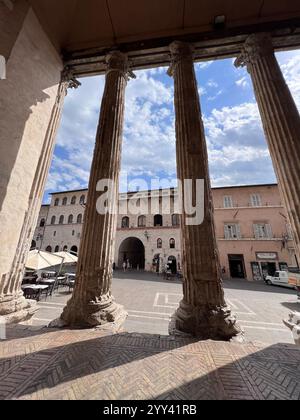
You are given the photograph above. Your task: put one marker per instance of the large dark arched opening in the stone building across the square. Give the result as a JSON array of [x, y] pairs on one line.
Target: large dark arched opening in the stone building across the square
[[132, 249]]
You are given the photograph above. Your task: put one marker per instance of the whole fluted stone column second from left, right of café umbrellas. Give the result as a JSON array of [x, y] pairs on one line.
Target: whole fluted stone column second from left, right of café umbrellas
[[92, 303]]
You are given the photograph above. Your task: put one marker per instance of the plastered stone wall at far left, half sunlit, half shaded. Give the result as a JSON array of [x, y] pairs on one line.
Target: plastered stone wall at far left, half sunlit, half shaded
[[27, 98]]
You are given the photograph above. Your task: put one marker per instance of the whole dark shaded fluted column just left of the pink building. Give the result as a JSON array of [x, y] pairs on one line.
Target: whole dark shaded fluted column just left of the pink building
[[203, 311]]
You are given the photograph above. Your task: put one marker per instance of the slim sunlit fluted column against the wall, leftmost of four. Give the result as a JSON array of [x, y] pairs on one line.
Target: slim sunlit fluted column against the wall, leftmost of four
[[13, 305]]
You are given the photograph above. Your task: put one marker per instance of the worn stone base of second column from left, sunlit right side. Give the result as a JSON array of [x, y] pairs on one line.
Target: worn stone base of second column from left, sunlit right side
[[109, 316]]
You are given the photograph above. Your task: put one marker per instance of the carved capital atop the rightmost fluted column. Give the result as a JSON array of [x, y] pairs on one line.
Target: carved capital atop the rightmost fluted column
[[256, 46]]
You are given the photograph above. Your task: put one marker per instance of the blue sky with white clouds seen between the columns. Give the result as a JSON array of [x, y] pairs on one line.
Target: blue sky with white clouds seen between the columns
[[238, 152]]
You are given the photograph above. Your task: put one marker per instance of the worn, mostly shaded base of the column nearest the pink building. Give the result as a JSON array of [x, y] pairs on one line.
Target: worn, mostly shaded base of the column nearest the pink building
[[205, 322]]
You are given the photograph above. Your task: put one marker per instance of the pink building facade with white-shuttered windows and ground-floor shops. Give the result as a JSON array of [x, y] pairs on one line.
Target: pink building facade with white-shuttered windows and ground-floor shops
[[254, 237]]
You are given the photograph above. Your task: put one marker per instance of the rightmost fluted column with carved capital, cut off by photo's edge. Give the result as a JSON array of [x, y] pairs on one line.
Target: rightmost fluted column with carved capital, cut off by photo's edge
[[281, 121]]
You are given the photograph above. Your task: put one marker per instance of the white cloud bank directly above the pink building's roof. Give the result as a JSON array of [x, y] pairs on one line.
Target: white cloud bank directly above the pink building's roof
[[238, 152]]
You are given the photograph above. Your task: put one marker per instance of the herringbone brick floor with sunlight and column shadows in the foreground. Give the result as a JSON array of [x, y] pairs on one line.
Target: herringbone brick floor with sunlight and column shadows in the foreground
[[48, 364]]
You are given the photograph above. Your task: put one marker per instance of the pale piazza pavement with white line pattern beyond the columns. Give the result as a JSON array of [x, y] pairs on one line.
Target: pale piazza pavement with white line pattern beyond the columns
[[150, 302]]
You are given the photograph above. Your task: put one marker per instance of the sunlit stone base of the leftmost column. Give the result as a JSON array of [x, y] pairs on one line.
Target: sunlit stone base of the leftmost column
[[16, 308]]
